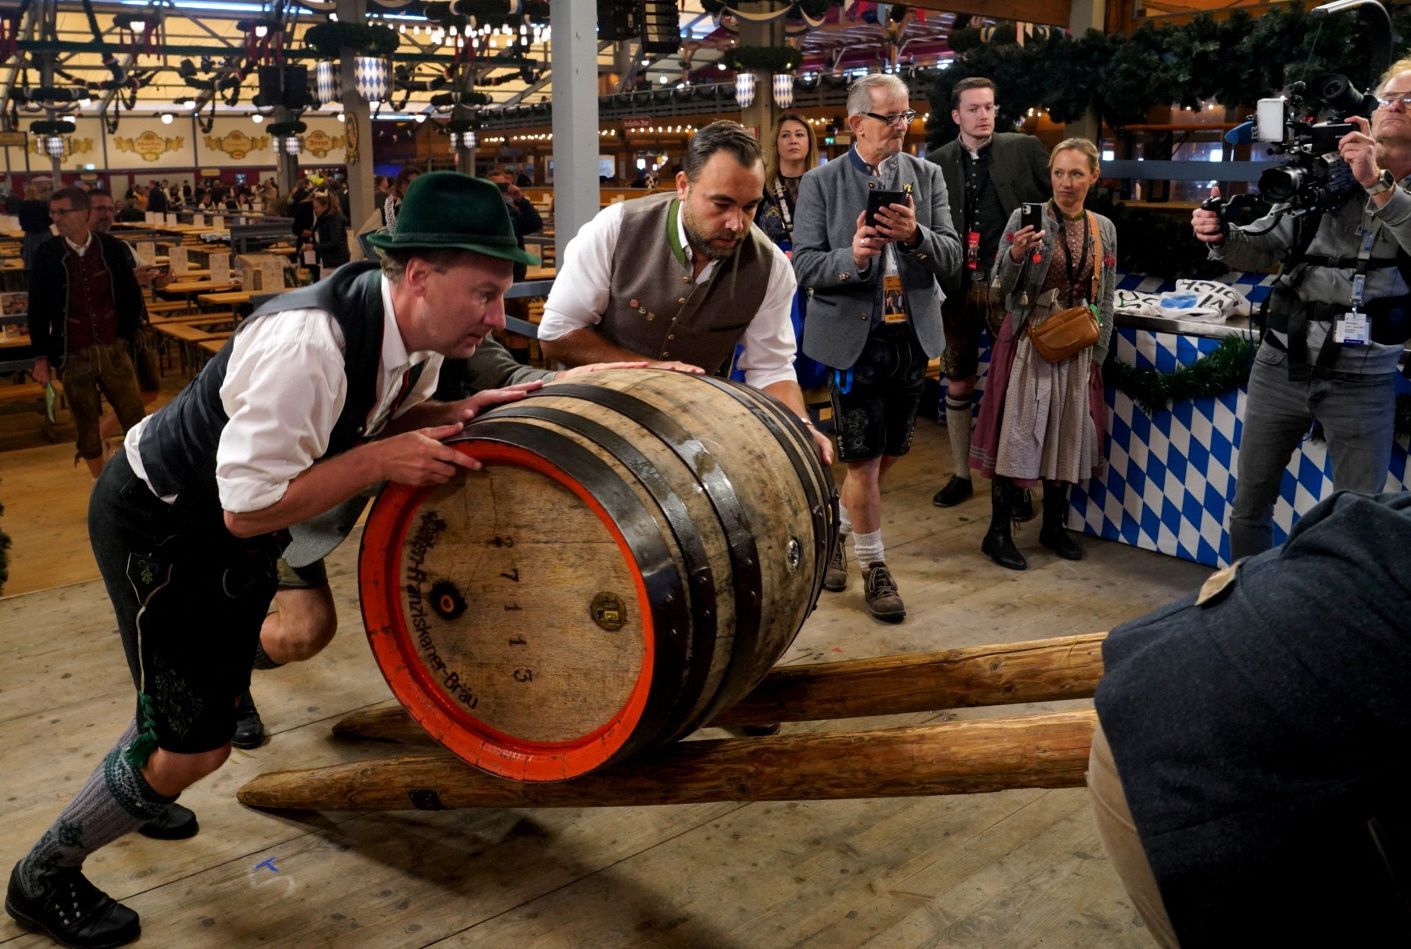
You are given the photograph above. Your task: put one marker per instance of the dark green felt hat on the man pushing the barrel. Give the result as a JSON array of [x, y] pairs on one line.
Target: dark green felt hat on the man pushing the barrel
[[454, 211]]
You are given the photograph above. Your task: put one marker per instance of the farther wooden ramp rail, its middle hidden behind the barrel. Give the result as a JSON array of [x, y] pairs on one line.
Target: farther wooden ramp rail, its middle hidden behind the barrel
[[1042, 671]]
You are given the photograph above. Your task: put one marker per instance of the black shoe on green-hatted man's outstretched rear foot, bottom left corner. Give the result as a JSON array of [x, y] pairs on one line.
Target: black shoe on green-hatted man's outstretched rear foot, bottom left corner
[[71, 912]]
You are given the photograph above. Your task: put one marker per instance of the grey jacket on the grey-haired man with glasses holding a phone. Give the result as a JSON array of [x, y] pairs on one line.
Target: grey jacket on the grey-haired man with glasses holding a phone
[[840, 312]]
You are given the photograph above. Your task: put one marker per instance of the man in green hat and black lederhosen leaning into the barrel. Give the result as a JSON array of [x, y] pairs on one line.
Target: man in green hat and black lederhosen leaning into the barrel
[[321, 394]]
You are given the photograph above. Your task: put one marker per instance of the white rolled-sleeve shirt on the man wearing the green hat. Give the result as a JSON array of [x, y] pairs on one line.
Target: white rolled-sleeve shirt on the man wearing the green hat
[[284, 391]]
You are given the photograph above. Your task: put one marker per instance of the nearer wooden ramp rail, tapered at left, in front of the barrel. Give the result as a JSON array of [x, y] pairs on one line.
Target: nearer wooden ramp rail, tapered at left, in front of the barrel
[[953, 758]]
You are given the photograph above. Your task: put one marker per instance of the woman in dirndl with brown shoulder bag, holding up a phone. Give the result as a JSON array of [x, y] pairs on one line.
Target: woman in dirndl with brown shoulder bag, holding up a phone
[[1045, 421]]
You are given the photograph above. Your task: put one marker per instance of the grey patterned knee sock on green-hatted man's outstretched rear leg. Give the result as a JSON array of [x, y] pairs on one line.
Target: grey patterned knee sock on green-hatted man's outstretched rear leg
[[116, 800]]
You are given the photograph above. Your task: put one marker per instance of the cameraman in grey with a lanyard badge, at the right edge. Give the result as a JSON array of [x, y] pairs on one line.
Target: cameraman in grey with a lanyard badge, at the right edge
[[1328, 356]]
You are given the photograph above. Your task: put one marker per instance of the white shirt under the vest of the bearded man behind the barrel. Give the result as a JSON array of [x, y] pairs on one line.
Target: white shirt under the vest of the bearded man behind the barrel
[[581, 295]]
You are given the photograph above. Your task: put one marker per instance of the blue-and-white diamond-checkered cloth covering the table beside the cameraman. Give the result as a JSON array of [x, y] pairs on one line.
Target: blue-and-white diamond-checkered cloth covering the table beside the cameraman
[[1170, 477]]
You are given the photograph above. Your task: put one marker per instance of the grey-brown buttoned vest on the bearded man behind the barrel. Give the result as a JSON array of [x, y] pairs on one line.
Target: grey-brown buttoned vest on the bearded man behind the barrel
[[655, 308]]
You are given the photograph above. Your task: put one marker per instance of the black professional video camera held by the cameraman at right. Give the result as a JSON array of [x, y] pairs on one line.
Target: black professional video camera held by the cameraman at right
[[1314, 178]]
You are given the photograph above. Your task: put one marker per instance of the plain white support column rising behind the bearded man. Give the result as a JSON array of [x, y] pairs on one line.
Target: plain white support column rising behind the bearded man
[[575, 91]]
